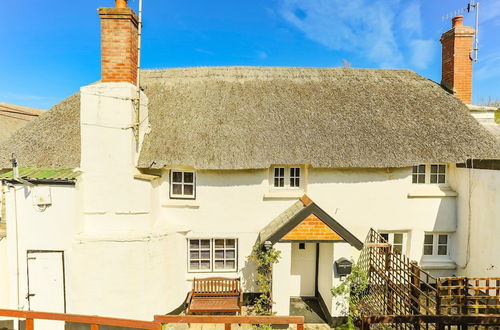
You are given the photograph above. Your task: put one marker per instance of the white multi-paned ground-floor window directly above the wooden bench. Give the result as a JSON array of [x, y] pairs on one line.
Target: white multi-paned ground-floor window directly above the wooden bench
[[213, 255]]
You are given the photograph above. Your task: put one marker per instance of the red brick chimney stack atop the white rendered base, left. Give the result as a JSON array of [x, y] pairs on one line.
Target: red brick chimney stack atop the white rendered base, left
[[119, 41]]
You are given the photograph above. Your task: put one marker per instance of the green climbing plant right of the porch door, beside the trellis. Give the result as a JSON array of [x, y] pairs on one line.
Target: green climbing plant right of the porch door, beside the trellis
[[352, 289]]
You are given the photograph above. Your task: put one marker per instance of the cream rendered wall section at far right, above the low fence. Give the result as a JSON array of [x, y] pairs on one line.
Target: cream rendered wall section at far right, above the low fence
[[482, 198]]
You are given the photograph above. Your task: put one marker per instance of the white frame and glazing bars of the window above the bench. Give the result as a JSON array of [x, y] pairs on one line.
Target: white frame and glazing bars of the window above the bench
[[212, 259]]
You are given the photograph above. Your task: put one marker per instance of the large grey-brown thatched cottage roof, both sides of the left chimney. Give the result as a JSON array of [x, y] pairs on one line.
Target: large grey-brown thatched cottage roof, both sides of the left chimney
[[252, 117]]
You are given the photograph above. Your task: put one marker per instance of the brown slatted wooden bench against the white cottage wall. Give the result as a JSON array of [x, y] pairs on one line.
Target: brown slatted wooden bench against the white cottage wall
[[215, 294]]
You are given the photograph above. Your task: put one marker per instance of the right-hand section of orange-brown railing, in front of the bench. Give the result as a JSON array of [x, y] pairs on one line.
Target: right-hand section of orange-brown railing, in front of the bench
[[228, 320]]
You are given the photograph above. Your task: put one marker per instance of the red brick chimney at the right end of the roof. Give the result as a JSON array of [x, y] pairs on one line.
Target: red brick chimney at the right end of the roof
[[456, 66]]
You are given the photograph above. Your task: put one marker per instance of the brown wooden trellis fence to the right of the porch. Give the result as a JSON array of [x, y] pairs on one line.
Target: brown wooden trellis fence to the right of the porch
[[402, 294]]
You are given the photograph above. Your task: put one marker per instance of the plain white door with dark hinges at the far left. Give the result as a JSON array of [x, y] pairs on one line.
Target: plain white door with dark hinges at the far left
[[46, 286]]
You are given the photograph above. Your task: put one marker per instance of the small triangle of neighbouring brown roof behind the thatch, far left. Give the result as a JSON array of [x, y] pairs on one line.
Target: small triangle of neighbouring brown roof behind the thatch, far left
[[13, 117]]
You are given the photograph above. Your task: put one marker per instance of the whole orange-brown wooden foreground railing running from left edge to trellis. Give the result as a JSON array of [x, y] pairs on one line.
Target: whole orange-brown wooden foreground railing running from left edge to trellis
[[95, 321]]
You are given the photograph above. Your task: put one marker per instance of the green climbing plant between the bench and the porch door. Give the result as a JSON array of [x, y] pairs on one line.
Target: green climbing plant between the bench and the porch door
[[264, 259]]
